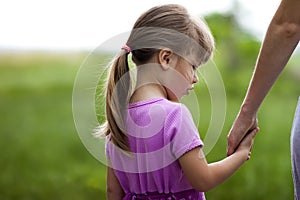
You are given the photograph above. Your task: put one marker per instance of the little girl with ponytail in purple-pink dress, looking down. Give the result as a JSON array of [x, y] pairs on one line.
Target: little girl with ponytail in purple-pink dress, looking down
[[153, 146]]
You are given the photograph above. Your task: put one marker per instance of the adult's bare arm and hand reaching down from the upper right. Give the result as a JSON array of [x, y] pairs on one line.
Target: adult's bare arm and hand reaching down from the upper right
[[279, 43]]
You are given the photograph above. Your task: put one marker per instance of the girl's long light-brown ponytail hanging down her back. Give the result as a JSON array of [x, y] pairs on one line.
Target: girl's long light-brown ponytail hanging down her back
[[118, 92]]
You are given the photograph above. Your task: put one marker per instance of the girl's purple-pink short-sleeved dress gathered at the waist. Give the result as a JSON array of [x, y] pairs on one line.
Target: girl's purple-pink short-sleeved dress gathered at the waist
[[159, 132]]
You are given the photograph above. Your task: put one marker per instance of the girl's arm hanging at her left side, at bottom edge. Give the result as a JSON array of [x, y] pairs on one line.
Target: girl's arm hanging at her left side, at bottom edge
[[114, 190]]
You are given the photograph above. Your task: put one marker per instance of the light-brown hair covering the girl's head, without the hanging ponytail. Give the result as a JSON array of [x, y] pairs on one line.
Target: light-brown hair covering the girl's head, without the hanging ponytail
[[170, 26]]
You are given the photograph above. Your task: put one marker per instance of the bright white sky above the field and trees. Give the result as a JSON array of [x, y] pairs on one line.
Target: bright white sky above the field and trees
[[86, 24]]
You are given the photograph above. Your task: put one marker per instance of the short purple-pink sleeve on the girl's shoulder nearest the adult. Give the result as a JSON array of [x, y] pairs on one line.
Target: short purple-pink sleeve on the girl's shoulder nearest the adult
[[182, 132]]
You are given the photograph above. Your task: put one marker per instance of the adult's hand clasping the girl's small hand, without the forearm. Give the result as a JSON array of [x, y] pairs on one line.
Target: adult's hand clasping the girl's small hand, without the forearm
[[244, 123]]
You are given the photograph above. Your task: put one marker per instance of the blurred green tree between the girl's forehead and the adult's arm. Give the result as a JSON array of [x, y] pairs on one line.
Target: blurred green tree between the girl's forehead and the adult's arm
[[238, 48]]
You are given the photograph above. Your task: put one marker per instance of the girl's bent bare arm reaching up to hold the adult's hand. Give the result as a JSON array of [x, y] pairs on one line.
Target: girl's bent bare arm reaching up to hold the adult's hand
[[203, 176]]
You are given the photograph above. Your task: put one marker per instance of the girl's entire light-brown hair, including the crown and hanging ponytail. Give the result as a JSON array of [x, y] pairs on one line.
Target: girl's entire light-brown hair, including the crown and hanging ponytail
[[165, 26]]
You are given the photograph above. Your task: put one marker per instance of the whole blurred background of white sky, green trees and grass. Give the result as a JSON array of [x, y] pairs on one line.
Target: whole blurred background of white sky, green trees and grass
[[44, 43]]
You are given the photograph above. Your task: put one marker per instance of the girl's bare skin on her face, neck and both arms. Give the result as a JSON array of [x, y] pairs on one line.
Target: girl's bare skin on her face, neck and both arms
[[193, 163]]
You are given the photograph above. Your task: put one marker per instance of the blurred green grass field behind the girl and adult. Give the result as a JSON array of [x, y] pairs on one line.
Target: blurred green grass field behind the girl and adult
[[42, 156]]
